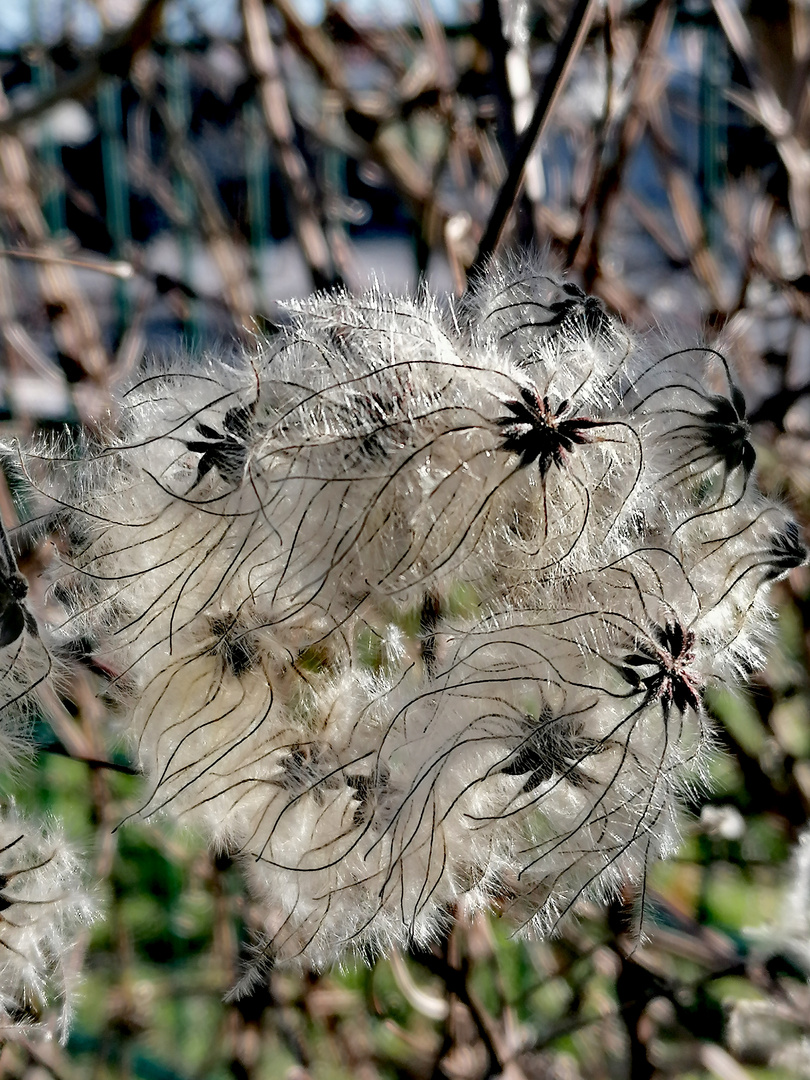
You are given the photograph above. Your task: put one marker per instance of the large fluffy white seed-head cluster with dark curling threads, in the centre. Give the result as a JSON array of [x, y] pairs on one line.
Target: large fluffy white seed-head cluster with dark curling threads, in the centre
[[413, 610]]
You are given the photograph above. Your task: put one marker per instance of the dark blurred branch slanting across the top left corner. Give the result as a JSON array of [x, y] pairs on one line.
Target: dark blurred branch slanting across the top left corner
[[114, 57]]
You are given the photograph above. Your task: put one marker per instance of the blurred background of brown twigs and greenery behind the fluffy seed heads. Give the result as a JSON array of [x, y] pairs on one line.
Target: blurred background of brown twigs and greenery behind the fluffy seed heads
[[172, 172]]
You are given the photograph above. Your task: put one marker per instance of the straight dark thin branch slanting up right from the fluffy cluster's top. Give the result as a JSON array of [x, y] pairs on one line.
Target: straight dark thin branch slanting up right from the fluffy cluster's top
[[565, 55]]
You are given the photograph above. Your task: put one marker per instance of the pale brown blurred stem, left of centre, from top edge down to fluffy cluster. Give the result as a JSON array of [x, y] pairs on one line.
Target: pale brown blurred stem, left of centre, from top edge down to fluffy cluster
[[305, 214]]
